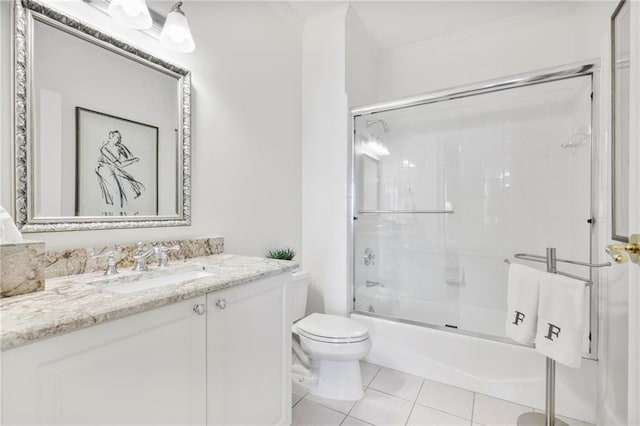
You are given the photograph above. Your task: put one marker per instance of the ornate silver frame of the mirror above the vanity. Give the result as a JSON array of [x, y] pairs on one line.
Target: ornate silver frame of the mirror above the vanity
[[25, 12]]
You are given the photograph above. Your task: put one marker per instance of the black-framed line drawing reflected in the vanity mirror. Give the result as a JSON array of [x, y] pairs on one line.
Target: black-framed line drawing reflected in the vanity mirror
[[116, 166]]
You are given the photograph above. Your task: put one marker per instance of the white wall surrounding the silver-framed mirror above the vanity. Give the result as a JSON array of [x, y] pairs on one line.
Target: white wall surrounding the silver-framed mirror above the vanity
[[245, 126]]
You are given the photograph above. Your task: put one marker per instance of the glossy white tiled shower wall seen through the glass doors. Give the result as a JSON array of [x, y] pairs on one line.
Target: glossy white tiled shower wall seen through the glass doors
[[514, 169]]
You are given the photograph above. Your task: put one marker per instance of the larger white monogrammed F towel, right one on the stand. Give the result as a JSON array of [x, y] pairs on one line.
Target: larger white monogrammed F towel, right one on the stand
[[561, 319]]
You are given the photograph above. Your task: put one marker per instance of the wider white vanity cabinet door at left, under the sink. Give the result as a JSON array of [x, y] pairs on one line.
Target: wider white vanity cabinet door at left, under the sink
[[147, 369]]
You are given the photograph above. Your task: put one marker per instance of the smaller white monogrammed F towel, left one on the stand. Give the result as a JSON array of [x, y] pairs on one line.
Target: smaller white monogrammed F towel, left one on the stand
[[522, 303]]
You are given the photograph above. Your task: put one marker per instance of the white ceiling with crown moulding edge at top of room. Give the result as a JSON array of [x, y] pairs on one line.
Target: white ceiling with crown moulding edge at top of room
[[398, 23]]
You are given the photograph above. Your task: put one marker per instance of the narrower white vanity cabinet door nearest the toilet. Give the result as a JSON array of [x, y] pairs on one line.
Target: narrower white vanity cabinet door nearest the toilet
[[249, 354]]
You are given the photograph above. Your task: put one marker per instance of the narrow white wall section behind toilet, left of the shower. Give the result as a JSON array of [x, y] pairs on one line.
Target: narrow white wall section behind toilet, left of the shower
[[324, 161]]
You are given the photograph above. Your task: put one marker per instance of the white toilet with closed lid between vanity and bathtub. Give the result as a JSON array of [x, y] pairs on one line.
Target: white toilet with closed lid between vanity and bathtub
[[327, 349]]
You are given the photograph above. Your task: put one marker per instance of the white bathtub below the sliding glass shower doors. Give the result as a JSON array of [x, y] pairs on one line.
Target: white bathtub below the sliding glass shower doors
[[492, 367]]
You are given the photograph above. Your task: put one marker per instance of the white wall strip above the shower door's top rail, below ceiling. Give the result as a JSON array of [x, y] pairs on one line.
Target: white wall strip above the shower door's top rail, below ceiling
[[554, 35]]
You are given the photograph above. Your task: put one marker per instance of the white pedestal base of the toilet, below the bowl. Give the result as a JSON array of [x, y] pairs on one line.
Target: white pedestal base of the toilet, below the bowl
[[338, 380]]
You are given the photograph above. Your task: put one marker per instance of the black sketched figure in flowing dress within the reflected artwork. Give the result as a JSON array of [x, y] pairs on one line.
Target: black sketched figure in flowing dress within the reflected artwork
[[113, 179]]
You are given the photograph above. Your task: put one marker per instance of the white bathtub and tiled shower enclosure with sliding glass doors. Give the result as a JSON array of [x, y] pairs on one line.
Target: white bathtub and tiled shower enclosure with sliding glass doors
[[472, 175]]
